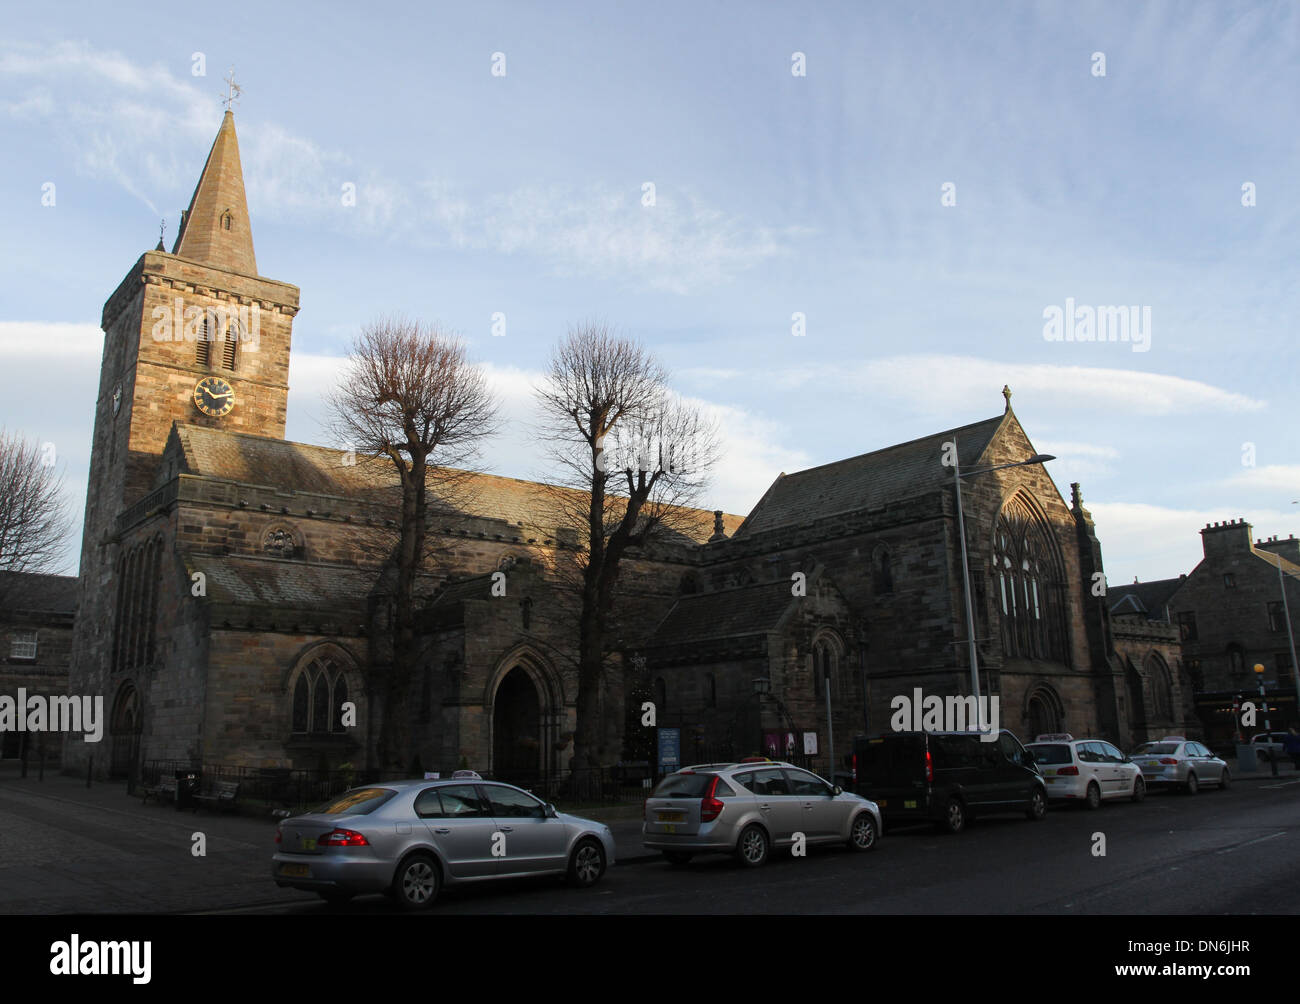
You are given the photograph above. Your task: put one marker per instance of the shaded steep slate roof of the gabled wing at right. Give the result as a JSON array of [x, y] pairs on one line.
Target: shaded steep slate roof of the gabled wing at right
[[866, 482]]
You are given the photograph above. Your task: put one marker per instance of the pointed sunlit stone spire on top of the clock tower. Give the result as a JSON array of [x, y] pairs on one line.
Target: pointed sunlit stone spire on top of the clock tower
[[215, 230]]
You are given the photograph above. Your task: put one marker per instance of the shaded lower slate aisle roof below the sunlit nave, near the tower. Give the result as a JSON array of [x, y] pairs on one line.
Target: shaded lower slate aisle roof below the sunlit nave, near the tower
[[242, 581]]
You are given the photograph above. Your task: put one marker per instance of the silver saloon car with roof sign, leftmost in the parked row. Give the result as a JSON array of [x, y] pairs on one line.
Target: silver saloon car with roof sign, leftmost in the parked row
[[410, 838]]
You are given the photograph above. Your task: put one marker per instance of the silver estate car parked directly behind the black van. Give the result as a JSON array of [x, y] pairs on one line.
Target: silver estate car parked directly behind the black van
[[752, 807]]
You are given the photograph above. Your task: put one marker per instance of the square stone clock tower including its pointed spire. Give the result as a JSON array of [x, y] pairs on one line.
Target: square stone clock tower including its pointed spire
[[194, 336]]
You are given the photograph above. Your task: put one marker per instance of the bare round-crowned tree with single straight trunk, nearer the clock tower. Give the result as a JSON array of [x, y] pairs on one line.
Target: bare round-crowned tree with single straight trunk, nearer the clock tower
[[411, 403]]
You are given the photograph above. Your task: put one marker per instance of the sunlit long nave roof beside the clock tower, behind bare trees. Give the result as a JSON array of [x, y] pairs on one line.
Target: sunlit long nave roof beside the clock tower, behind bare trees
[[301, 468]]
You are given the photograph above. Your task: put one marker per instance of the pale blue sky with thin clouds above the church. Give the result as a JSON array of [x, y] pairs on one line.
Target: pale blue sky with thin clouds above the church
[[775, 194]]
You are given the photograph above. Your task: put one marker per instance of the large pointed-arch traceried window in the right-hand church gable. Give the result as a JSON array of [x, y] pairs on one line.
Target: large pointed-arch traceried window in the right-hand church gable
[[1029, 586]]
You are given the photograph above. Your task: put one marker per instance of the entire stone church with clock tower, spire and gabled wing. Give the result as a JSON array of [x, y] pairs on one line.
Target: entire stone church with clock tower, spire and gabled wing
[[232, 598]]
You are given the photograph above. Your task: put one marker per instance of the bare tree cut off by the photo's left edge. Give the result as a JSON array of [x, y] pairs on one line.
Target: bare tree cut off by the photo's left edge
[[34, 516]]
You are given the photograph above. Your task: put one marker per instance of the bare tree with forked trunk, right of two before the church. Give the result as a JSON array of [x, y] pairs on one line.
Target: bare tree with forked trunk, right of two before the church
[[631, 458]]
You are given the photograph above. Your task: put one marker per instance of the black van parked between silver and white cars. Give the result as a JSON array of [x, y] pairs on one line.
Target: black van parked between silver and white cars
[[947, 778]]
